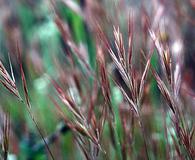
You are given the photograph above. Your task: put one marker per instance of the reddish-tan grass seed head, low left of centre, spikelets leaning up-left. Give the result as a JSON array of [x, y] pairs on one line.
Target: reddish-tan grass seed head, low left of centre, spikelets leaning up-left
[[80, 126]]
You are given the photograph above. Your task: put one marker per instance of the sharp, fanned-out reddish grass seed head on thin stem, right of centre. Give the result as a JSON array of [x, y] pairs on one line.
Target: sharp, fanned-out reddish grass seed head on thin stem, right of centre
[[125, 68]]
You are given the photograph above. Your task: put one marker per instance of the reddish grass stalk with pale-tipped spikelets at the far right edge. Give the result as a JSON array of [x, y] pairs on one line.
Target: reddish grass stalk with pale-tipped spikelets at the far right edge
[[171, 95]]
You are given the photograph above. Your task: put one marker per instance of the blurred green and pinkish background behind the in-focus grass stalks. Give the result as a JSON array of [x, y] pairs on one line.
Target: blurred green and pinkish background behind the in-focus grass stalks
[[32, 24]]
